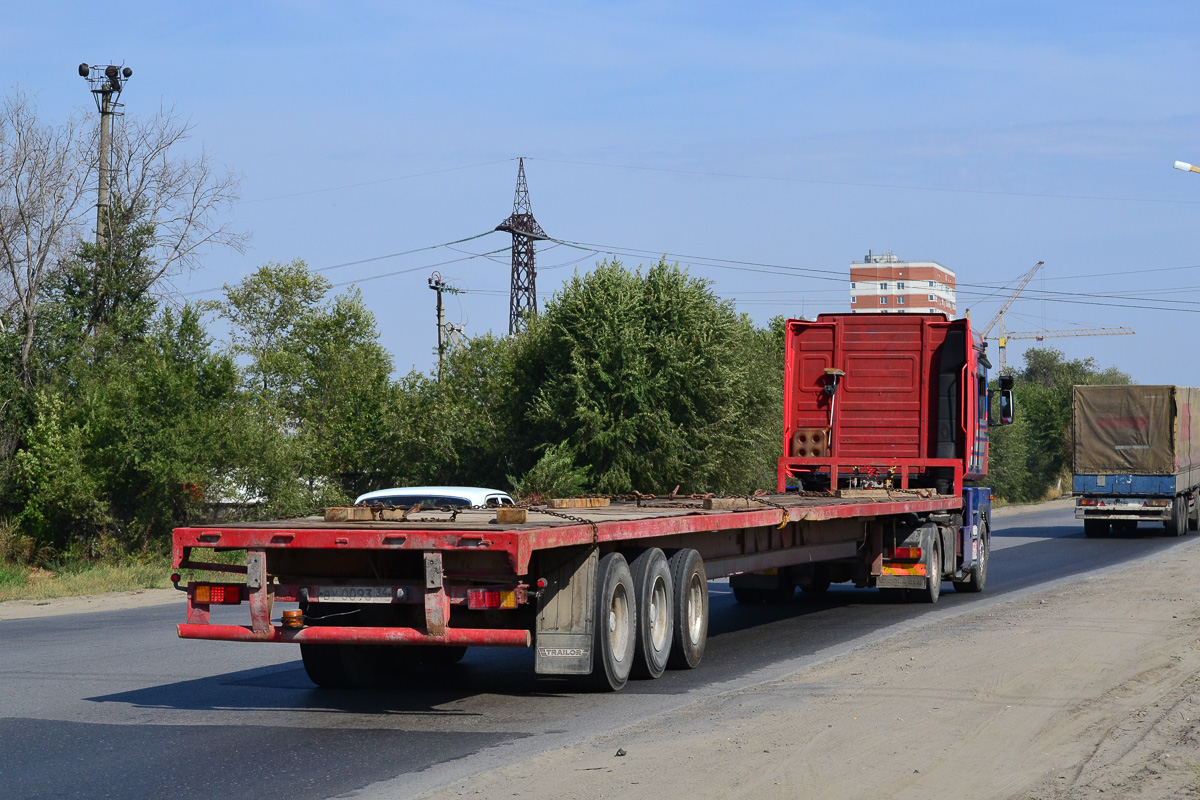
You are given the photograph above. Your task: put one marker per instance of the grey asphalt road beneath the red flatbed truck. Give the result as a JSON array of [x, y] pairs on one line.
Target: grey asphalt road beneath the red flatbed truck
[[111, 705]]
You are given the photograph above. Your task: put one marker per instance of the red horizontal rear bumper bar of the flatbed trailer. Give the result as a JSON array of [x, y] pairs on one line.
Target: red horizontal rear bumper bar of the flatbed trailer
[[331, 635]]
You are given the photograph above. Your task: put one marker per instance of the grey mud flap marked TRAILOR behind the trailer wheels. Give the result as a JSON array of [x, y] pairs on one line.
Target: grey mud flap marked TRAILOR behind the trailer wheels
[[567, 612]]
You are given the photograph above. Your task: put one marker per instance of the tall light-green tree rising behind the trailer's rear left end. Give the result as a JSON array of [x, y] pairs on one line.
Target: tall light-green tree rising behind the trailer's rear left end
[[317, 386]]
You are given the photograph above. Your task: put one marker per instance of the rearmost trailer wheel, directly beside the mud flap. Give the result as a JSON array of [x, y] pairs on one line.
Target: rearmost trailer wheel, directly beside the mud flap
[[616, 624]]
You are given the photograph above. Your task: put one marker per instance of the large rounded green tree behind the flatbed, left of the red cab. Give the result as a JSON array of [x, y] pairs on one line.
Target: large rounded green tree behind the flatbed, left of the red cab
[[651, 381]]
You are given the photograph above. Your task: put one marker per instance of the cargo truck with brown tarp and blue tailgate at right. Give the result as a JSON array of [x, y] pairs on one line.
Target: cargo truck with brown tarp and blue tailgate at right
[[1137, 459]]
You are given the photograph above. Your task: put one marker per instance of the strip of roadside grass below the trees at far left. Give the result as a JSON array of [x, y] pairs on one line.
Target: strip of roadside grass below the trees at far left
[[76, 579]]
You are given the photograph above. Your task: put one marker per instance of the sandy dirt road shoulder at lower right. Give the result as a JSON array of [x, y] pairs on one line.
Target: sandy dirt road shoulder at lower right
[[1091, 687]]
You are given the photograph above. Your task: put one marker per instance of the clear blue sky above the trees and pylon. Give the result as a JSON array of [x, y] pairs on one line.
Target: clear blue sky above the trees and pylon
[[763, 146]]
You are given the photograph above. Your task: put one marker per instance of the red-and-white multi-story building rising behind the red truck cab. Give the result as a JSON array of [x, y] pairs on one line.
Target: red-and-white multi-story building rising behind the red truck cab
[[885, 284]]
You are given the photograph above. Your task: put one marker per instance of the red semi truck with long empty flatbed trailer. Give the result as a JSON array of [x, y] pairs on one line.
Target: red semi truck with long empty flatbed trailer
[[886, 426]]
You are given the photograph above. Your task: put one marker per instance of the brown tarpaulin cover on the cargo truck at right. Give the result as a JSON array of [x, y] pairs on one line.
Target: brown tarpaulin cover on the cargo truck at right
[[1139, 430]]
